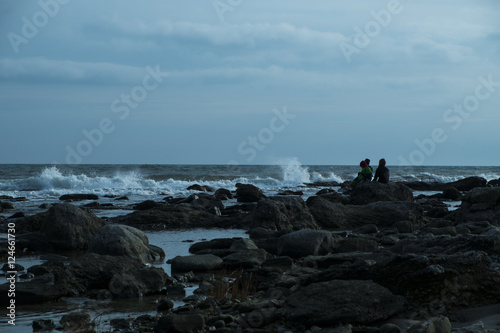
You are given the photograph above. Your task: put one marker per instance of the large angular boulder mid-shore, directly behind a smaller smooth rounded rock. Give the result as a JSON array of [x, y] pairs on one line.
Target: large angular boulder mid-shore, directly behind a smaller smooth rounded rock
[[282, 213]]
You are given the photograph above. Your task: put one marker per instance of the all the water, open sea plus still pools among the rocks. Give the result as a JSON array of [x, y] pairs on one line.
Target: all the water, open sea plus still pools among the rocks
[[32, 185]]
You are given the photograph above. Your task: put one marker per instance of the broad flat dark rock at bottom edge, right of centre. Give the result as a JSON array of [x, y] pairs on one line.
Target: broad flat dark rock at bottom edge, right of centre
[[338, 301]]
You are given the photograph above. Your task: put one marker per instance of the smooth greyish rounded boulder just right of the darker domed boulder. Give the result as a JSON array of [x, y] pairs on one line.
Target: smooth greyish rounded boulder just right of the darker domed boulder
[[122, 240]]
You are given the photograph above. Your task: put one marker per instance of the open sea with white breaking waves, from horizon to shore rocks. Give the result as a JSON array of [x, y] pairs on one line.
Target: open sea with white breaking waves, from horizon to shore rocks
[[46, 183]]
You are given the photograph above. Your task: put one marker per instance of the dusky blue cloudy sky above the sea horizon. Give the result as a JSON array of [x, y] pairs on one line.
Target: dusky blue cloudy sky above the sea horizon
[[250, 81]]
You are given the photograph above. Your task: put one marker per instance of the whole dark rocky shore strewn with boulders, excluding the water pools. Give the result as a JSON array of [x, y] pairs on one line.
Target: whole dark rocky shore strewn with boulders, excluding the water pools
[[373, 259]]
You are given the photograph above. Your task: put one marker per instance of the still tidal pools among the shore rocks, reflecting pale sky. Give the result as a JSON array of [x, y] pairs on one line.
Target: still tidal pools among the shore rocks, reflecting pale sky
[[174, 243]]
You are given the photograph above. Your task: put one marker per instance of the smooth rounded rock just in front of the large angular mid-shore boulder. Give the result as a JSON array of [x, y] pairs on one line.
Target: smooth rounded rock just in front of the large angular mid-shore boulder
[[304, 243]]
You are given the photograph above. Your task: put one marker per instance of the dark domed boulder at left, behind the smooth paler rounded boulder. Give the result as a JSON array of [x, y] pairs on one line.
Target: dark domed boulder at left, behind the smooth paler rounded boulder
[[69, 228]]
